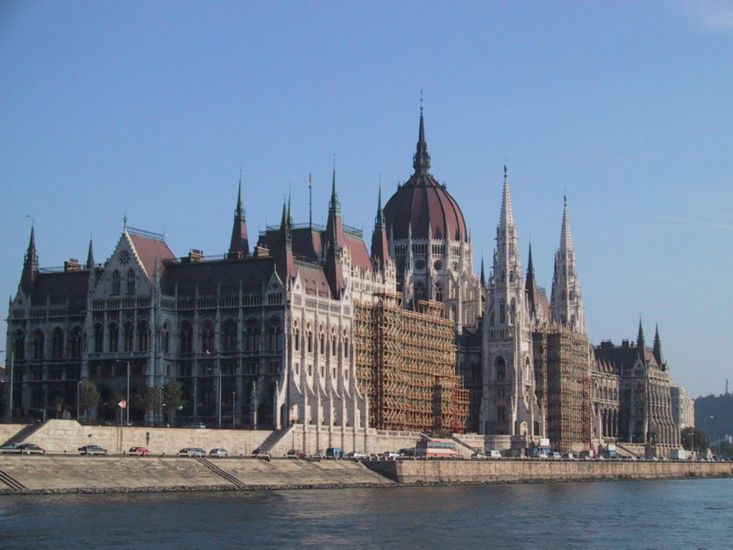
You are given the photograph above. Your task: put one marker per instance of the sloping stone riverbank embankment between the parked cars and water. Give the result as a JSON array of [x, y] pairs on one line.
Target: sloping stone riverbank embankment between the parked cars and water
[[53, 474]]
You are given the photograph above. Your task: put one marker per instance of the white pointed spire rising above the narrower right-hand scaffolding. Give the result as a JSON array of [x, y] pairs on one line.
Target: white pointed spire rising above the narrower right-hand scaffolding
[[566, 302]]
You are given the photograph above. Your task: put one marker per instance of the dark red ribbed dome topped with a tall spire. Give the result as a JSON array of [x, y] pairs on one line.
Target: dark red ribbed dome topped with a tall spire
[[423, 203]]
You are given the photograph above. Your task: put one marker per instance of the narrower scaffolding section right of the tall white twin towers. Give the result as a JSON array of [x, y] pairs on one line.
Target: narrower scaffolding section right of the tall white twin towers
[[563, 386]]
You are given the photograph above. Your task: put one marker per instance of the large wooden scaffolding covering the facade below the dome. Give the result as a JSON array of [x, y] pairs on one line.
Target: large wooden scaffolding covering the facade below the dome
[[406, 365]]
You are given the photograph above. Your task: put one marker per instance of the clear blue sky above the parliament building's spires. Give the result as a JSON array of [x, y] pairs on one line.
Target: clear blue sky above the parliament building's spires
[[150, 109]]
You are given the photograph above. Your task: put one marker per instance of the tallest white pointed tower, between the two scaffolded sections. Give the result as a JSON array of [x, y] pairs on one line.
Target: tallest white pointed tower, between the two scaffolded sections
[[509, 405]]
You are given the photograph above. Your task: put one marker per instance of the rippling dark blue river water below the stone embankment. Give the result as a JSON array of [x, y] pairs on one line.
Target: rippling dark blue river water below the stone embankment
[[649, 514]]
